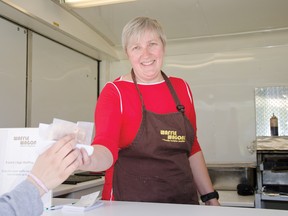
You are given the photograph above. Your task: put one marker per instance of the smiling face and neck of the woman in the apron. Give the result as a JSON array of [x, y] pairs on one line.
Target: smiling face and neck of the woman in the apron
[[146, 57]]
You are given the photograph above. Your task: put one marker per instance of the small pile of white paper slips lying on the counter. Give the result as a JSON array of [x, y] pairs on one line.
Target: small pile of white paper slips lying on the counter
[[86, 203]]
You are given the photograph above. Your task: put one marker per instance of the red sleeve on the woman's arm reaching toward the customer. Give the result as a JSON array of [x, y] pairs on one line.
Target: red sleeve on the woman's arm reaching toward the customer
[[108, 119]]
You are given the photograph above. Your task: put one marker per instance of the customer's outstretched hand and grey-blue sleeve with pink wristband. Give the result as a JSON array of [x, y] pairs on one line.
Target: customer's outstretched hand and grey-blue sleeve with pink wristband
[[50, 169]]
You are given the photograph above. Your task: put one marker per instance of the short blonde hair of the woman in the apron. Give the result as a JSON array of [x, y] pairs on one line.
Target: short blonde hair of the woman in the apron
[[138, 26]]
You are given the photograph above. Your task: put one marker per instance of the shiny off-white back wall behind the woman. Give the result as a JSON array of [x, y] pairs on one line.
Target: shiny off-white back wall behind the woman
[[223, 74]]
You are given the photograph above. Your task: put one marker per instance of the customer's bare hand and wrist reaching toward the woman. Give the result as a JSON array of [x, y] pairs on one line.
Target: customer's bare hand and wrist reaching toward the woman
[[56, 164]]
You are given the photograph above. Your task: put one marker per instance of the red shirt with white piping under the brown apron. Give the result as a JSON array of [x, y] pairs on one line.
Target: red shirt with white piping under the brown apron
[[118, 114]]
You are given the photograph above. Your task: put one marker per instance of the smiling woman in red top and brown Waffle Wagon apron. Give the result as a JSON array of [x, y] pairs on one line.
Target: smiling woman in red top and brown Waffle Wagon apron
[[146, 129]]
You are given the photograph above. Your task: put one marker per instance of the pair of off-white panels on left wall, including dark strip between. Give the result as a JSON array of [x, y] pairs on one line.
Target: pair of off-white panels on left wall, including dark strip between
[[41, 79]]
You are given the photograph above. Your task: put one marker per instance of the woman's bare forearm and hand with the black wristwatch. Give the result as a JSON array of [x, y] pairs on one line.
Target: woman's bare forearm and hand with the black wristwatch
[[201, 176]]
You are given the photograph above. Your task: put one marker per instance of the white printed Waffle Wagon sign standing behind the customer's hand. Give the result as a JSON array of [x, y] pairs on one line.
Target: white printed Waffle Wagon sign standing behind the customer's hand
[[19, 149]]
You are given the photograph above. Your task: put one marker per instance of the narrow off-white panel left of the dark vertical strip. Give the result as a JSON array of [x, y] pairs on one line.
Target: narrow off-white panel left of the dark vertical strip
[[12, 74]]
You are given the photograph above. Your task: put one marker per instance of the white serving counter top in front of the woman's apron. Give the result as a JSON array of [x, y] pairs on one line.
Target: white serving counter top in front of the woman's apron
[[117, 208]]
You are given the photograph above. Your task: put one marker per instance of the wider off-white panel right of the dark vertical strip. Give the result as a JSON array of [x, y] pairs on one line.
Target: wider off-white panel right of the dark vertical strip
[[64, 83]]
